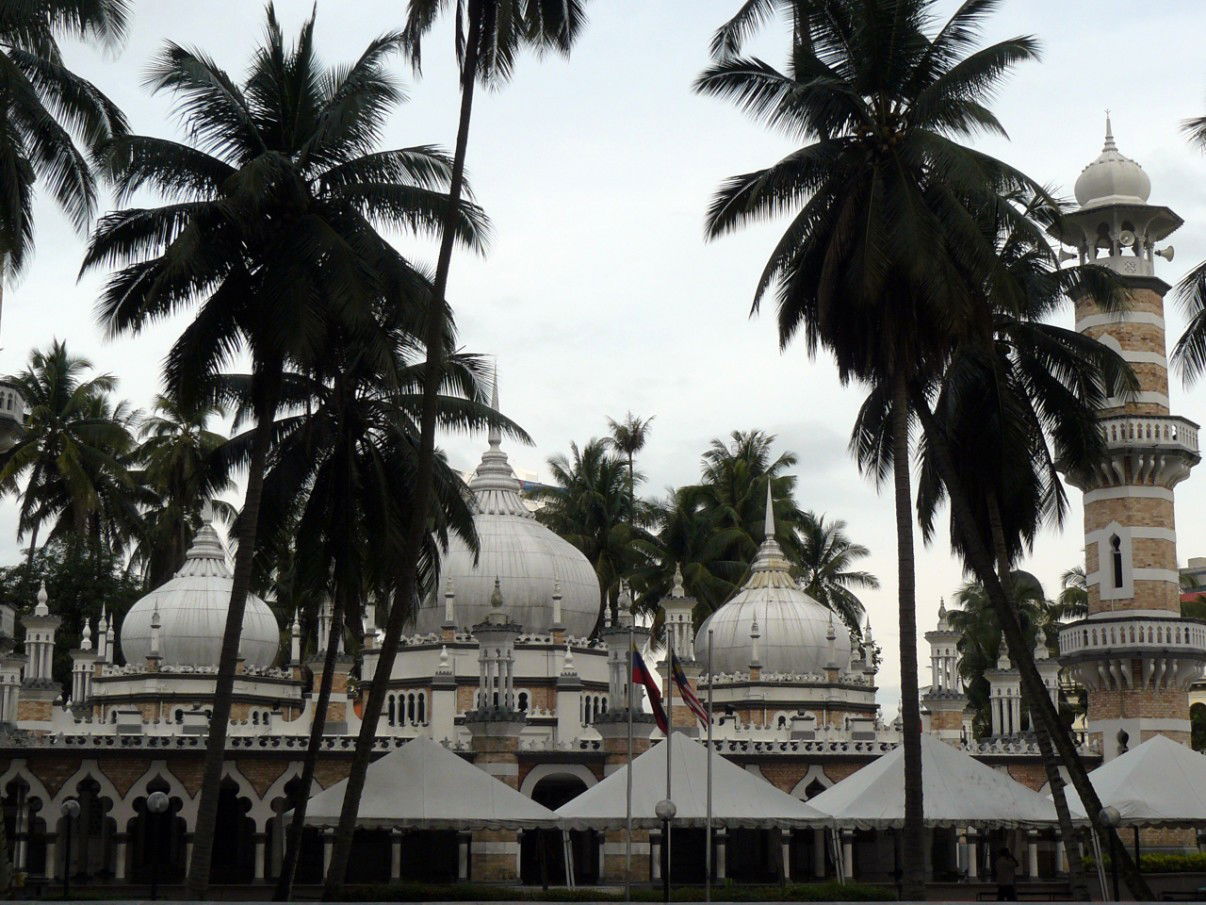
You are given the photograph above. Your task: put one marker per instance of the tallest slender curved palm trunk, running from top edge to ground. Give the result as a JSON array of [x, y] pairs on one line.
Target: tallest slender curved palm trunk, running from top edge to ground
[[408, 556]]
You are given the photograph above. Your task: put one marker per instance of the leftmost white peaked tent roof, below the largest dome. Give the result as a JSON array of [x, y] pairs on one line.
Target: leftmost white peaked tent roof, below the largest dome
[[426, 786]]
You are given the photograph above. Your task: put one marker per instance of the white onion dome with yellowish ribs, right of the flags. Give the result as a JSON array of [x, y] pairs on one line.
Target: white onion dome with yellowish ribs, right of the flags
[[794, 628]]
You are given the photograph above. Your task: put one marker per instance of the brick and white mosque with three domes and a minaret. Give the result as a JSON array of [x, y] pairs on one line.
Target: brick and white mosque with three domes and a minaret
[[501, 669]]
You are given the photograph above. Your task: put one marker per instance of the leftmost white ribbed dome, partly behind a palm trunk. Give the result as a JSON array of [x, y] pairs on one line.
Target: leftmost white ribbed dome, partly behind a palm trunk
[[194, 609]]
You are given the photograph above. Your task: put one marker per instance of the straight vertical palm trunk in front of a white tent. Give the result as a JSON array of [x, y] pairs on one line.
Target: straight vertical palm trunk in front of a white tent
[[914, 888]]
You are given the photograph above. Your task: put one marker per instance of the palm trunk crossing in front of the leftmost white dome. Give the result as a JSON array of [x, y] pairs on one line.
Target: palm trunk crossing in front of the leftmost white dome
[[224, 690]]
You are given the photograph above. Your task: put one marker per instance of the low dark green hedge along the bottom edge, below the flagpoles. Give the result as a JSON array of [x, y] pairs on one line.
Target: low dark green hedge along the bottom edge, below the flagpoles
[[476, 892]]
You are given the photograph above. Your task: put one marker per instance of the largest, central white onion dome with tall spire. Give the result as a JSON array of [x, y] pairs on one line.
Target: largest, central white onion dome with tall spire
[[530, 562]]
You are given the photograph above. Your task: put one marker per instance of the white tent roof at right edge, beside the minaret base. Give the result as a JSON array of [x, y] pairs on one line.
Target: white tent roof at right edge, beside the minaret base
[[1156, 784]]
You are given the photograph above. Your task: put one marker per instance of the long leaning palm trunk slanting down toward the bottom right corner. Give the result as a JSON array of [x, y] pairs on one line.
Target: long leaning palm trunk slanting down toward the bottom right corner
[[981, 562]]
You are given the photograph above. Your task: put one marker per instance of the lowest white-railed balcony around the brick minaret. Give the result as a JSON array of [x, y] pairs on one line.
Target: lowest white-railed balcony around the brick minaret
[[1127, 653]]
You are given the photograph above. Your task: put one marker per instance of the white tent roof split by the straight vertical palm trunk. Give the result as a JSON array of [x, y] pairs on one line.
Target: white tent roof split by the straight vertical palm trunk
[[958, 792]]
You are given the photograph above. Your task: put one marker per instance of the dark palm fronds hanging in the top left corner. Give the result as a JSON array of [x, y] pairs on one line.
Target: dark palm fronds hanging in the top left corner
[[46, 110]]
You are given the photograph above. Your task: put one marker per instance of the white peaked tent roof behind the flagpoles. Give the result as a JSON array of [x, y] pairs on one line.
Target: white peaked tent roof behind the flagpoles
[[739, 798]]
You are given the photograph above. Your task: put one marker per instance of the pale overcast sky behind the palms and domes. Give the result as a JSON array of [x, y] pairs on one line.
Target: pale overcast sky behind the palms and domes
[[599, 294]]
